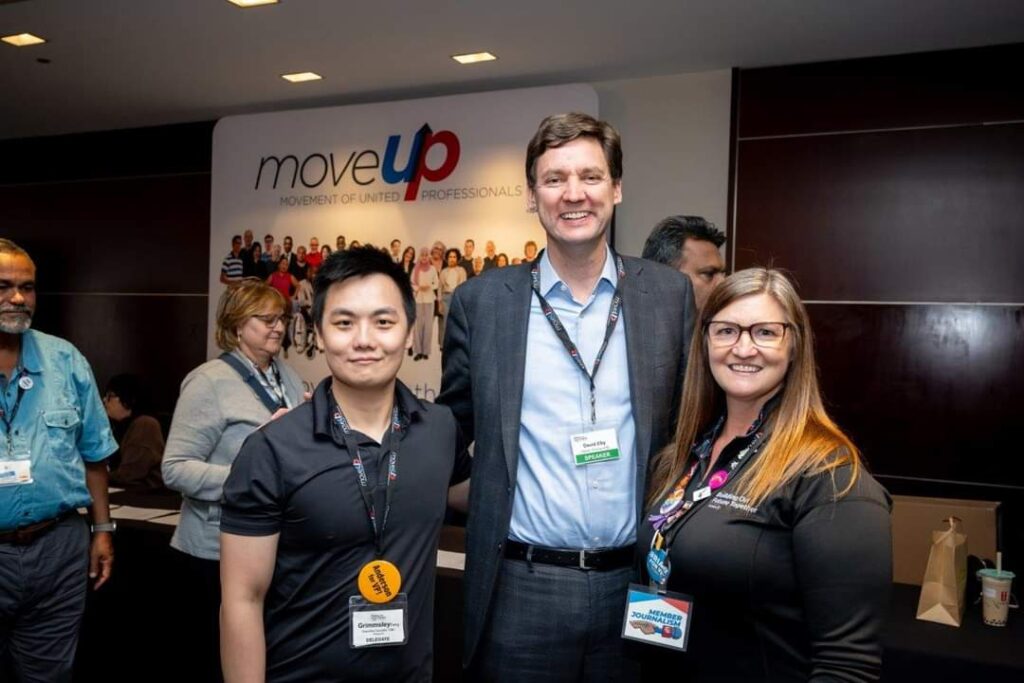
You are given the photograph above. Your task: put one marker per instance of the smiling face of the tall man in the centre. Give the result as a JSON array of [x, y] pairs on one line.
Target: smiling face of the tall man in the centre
[[575, 197]]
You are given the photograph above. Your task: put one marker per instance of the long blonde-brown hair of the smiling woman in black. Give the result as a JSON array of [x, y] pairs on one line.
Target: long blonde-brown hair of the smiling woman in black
[[804, 439]]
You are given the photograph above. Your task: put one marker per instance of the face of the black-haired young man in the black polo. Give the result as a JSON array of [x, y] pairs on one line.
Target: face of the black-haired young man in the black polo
[[365, 332]]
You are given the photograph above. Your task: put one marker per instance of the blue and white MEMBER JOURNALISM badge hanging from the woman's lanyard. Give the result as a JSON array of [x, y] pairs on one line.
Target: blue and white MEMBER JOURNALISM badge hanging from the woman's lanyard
[[658, 619]]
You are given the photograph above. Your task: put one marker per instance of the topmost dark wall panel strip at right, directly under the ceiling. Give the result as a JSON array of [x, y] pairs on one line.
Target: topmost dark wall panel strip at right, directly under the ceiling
[[929, 90]]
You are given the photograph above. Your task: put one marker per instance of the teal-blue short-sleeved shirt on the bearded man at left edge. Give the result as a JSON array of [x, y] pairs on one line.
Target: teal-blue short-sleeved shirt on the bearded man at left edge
[[61, 423]]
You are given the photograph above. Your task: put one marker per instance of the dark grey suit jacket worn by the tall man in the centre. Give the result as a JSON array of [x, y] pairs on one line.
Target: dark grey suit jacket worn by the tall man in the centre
[[484, 366]]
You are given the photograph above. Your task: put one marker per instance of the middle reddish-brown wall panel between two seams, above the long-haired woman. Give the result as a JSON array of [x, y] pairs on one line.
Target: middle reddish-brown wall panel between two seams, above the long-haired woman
[[917, 216]]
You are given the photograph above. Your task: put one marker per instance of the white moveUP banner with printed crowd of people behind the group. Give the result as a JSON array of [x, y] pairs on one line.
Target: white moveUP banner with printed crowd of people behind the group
[[426, 175]]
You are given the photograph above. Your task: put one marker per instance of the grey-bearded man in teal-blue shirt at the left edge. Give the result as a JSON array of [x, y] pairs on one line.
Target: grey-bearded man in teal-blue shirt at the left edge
[[55, 441]]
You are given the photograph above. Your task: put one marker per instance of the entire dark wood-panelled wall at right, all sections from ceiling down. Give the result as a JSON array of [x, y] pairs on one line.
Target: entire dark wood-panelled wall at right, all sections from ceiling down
[[900, 183]]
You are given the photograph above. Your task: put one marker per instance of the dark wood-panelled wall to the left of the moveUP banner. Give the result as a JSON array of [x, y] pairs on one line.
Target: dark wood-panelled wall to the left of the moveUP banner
[[119, 226]]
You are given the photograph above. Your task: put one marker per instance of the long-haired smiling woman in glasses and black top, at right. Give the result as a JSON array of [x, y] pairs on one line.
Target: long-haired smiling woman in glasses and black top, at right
[[761, 513]]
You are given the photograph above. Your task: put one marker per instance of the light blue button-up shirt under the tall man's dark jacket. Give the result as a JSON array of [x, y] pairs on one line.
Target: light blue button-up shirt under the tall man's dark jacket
[[559, 504]]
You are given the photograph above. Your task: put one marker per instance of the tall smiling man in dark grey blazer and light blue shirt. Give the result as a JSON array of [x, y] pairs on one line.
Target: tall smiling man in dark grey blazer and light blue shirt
[[567, 373]]
